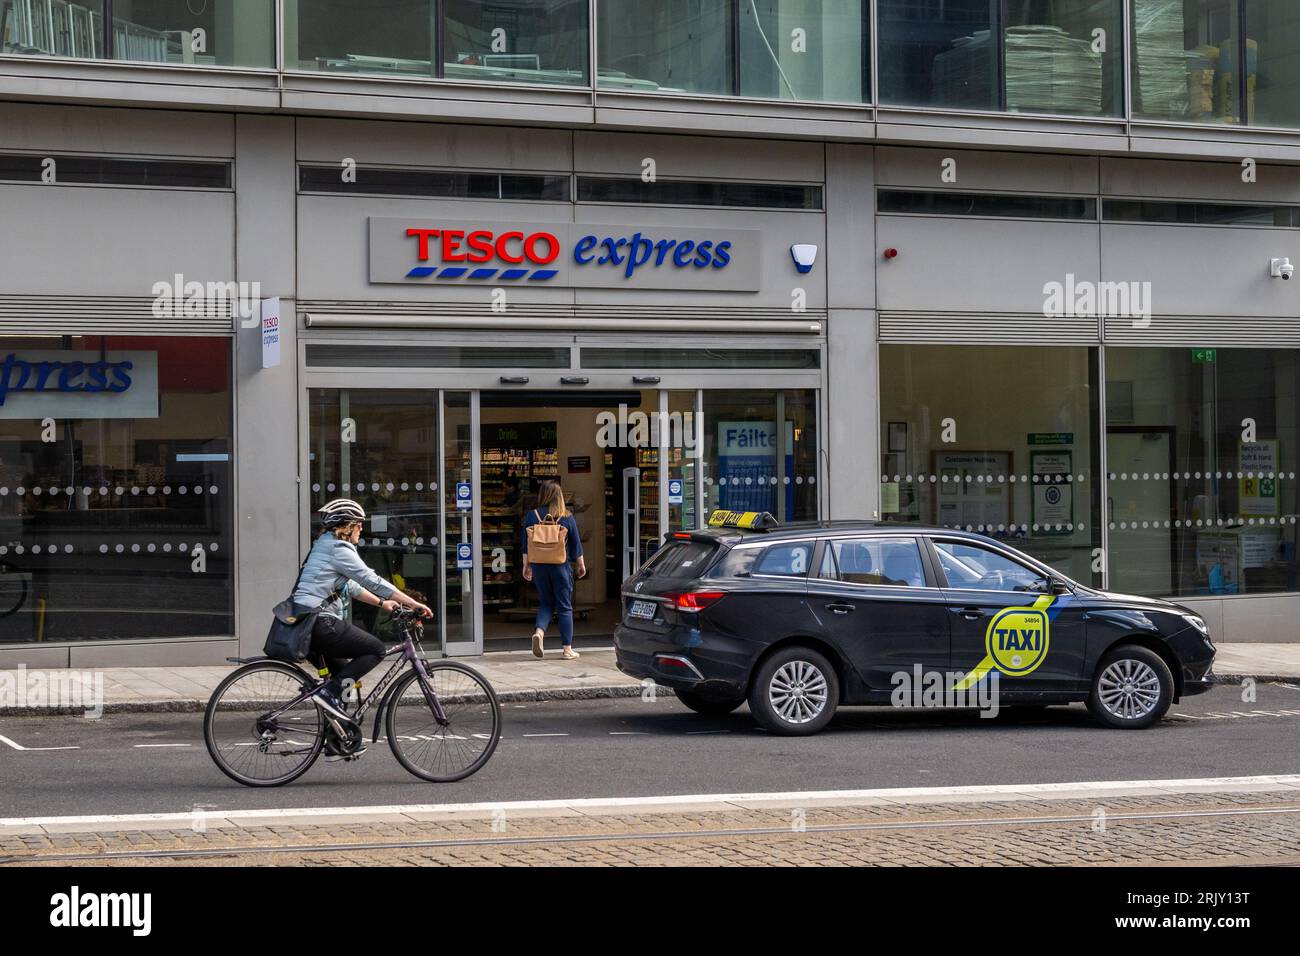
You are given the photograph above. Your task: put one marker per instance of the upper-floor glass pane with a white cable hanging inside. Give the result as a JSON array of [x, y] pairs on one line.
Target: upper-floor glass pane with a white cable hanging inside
[[805, 50]]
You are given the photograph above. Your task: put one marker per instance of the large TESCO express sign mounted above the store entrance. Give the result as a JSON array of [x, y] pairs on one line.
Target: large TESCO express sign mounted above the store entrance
[[437, 253]]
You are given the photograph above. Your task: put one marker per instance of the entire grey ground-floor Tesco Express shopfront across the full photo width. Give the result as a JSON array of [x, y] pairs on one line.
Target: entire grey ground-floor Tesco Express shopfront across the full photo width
[[1084, 356]]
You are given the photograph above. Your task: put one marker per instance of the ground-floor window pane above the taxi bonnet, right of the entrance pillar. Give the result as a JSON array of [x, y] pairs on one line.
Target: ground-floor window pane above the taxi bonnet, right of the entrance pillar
[[963, 447]]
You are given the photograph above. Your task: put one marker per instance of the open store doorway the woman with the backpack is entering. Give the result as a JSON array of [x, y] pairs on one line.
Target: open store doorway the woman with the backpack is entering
[[604, 449]]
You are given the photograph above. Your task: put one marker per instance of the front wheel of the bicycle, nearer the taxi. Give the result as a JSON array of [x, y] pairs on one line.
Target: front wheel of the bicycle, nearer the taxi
[[444, 752]]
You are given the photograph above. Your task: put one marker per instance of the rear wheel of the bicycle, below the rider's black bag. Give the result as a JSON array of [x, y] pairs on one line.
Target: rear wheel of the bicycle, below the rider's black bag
[[248, 745]]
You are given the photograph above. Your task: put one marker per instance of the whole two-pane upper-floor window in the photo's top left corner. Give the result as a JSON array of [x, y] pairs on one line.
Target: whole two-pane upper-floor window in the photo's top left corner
[[200, 33]]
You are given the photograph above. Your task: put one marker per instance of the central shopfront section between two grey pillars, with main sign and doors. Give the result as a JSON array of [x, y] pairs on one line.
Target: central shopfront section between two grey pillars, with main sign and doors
[[467, 349]]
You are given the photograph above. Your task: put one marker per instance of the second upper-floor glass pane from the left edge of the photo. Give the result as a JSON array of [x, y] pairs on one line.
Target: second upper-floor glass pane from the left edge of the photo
[[213, 33]]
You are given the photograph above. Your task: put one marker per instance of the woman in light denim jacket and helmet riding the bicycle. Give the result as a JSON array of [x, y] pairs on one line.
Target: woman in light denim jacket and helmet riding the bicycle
[[333, 577]]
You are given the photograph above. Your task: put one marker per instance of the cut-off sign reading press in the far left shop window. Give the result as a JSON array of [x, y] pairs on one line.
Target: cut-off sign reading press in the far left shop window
[[58, 384]]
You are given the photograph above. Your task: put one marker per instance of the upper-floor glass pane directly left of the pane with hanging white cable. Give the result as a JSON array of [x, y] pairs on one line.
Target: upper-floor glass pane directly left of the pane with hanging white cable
[[673, 46]]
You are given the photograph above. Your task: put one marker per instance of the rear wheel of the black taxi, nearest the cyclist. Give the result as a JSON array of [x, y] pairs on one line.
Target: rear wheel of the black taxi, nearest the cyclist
[[795, 693]]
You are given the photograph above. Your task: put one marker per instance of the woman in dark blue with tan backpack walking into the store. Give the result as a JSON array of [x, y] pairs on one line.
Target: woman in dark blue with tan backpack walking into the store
[[551, 544]]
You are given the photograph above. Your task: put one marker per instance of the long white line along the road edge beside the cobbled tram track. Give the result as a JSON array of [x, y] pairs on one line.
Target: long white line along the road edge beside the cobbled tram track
[[1012, 791]]
